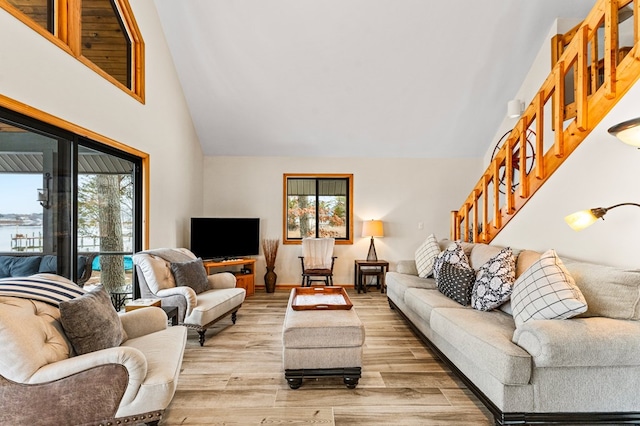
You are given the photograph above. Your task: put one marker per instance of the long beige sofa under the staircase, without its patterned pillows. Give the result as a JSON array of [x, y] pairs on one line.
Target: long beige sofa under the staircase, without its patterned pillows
[[580, 370]]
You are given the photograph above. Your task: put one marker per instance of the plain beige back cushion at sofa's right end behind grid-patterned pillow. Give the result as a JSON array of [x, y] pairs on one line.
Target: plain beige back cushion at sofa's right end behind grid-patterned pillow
[[610, 292]]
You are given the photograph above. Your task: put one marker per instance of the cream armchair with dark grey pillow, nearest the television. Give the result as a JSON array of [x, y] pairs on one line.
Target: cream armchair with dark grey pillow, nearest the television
[[178, 278]]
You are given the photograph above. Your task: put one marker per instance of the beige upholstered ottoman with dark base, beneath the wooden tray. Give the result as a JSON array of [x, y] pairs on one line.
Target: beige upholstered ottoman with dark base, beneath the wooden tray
[[320, 343]]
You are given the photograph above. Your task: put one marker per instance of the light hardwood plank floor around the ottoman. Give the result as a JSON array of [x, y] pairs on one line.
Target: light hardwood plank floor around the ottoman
[[237, 377]]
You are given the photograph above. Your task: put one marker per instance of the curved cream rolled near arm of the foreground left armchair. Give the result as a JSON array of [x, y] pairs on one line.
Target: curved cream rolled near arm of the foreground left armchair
[[130, 358]]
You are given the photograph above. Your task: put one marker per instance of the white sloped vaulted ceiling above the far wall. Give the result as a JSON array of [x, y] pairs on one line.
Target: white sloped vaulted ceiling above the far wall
[[354, 78]]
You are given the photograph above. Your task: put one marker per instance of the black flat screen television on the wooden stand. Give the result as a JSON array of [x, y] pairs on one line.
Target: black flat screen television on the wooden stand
[[220, 238]]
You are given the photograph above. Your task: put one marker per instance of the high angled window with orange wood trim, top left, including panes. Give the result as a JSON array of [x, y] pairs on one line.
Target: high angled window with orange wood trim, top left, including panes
[[102, 34]]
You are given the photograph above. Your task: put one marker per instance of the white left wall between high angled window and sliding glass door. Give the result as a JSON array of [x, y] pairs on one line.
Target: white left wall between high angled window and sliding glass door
[[36, 72]]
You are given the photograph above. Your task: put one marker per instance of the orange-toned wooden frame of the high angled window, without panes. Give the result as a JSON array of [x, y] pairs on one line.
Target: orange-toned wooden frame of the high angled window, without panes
[[68, 36]]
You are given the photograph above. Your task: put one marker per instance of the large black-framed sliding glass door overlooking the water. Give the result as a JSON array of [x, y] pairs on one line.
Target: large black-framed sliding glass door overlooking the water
[[72, 200]]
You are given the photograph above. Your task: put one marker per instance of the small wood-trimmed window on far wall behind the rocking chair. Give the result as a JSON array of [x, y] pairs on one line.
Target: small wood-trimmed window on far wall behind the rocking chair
[[318, 206]]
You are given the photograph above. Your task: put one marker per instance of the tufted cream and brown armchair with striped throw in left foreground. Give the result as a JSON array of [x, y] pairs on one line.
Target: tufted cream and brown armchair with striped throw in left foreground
[[48, 376]]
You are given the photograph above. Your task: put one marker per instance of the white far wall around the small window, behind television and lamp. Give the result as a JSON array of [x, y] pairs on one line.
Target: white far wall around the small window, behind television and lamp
[[400, 192]]
